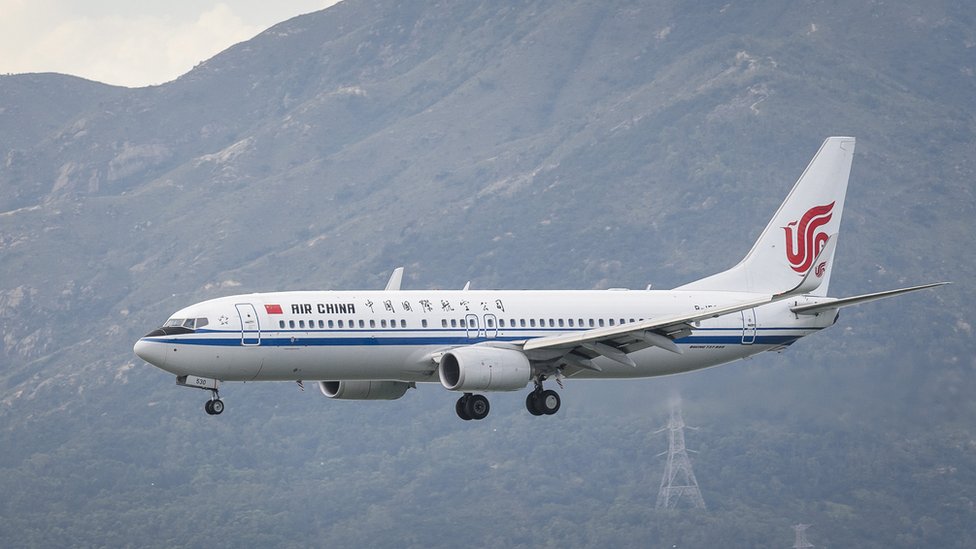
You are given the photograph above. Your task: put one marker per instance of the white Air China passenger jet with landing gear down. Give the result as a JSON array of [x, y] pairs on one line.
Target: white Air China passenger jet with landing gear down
[[375, 345]]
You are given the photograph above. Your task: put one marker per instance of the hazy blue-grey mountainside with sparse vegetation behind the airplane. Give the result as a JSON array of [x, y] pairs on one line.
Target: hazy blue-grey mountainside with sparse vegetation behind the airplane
[[532, 144]]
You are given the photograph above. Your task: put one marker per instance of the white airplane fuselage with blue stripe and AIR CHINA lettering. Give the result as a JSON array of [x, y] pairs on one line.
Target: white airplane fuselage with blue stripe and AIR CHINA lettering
[[396, 335]]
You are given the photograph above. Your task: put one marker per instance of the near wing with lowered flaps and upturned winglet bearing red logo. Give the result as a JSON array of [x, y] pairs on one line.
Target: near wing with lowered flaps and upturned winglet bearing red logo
[[616, 342]]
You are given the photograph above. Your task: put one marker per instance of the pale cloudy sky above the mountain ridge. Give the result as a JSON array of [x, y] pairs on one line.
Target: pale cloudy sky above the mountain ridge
[[128, 43]]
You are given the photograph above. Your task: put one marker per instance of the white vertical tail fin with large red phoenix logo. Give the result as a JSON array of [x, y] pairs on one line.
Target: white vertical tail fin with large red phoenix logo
[[796, 234]]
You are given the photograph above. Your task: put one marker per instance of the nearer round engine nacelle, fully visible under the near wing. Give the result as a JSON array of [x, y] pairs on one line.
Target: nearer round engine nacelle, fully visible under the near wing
[[484, 369]]
